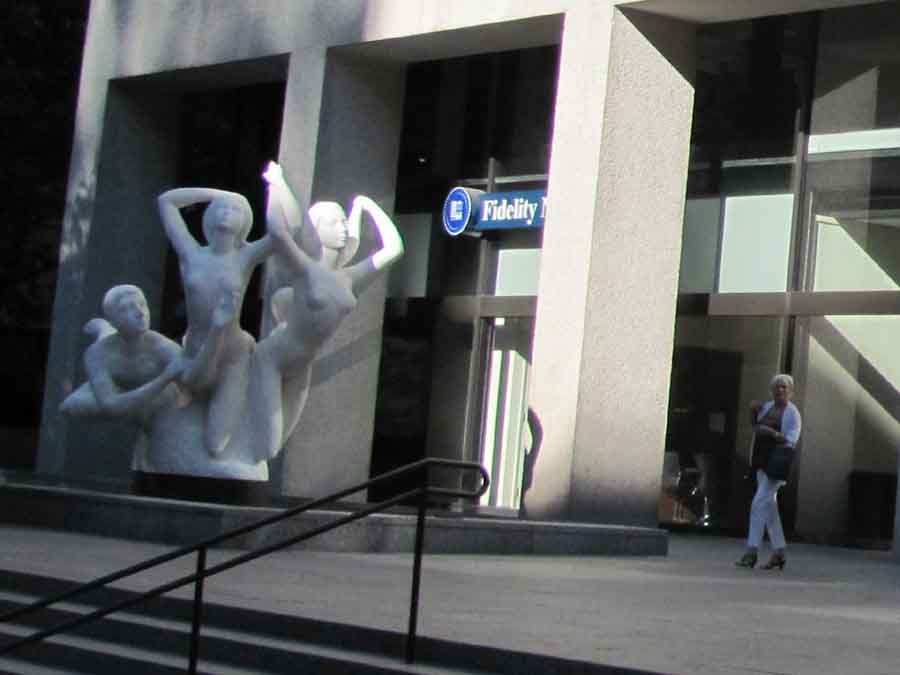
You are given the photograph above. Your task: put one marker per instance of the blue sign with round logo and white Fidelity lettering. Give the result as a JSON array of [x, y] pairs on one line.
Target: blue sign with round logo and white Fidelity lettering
[[474, 210]]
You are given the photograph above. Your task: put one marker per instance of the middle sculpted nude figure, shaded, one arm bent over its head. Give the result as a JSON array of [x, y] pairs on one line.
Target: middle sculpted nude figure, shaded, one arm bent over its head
[[215, 278]]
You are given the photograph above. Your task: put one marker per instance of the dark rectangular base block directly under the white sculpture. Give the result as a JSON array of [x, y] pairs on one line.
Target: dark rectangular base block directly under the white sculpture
[[200, 489]]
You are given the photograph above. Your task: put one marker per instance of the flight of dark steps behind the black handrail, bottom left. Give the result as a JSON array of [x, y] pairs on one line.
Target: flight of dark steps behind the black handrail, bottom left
[[154, 637]]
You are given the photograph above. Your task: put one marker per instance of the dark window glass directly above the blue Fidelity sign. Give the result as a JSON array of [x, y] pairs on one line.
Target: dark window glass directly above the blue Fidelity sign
[[460, 112]]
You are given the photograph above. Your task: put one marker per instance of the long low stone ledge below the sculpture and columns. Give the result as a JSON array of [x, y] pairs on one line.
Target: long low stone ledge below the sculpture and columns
[[177, 523]]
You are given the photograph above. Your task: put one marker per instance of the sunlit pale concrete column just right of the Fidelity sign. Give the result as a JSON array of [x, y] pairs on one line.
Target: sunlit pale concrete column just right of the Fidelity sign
[[617, 183]]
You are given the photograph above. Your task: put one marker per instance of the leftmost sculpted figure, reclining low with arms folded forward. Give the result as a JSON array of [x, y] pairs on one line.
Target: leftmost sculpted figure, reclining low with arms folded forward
[[129, 366]]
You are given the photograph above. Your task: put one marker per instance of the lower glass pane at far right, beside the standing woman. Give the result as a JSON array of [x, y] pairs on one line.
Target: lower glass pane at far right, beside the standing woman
[[851, 431]]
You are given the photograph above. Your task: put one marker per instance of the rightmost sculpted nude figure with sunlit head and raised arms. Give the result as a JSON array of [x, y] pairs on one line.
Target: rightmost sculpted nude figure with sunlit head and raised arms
[[323, 290]]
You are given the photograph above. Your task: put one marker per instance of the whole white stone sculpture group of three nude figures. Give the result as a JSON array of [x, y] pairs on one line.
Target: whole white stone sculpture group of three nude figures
[[269, 381]]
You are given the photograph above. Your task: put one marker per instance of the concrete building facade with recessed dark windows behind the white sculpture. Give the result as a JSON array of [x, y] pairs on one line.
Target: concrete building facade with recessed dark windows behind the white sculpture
[[674, 280]]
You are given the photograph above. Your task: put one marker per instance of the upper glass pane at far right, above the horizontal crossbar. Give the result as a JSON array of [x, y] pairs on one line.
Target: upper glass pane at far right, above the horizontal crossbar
[[854, 153]]
